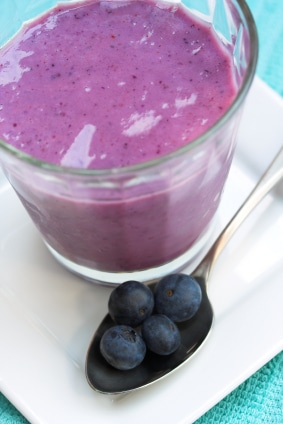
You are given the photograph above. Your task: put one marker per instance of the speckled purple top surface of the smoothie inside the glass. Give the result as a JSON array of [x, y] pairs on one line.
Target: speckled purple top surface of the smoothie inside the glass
[[111, 84]]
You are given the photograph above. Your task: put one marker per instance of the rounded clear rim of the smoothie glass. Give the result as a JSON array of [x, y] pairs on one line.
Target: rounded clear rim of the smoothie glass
[[238, 100]]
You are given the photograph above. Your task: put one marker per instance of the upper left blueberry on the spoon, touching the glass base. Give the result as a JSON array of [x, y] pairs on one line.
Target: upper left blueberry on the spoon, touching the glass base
[[131, 303]]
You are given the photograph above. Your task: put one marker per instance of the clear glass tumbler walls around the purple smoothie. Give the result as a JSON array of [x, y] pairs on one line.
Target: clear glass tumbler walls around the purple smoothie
[[143, 221]]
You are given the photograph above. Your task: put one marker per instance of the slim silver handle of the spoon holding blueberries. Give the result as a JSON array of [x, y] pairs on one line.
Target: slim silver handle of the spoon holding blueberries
[[272, 175]]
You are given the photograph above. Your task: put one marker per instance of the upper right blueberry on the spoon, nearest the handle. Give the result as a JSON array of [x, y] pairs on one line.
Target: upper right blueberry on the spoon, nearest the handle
[[178, 296]]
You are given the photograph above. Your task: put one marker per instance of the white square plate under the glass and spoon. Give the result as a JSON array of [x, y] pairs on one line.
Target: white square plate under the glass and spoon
[[48, 316]]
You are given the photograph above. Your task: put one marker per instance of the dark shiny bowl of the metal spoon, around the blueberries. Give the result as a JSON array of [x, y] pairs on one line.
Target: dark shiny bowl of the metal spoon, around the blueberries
[[105, 379]]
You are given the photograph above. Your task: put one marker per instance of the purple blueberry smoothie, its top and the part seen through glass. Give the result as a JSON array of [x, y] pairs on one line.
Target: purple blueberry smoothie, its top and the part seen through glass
[[102, 85]]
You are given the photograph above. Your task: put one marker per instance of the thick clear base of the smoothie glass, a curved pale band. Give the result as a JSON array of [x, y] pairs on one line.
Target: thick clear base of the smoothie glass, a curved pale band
[[187, 259]]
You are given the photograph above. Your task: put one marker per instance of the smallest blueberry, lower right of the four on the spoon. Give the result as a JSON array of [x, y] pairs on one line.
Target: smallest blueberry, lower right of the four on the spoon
[[161, 334]]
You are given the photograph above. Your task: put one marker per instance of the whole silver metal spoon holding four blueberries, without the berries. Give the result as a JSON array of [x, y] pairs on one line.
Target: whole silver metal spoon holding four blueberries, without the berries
[[105, 379]]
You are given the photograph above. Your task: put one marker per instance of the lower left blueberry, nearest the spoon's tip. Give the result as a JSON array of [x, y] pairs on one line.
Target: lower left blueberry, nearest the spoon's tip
[[122, 347]]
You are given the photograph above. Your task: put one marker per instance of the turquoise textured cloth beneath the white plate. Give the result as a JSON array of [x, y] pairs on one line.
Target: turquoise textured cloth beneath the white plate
[[259, 400]]
